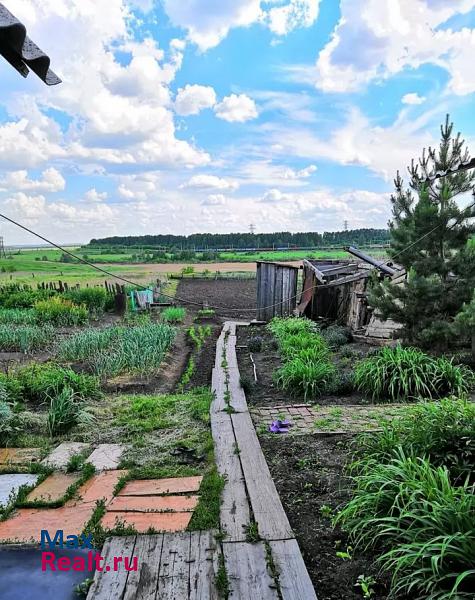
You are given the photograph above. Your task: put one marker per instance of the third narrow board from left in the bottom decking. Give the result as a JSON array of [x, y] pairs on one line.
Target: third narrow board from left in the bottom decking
[[174, 568]]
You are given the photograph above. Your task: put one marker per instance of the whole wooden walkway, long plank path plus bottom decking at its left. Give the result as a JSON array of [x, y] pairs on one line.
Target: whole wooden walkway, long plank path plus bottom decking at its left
[[185, 565]]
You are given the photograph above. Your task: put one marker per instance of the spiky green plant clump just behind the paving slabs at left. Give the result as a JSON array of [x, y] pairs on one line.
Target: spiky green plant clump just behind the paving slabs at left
[[65, 411]]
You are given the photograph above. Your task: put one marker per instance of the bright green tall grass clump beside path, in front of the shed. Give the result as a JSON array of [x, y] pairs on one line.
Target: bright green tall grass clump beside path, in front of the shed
[[308, 369]]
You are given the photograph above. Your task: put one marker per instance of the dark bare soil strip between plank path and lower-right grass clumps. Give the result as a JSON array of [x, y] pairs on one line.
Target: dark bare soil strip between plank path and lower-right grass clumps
[[308, 473]]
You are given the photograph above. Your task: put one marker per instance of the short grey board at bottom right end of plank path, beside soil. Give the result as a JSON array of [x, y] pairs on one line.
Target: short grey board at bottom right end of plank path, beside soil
[[294, 580]]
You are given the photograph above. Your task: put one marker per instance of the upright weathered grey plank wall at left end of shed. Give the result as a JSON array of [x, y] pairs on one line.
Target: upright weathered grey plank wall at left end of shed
[[276, 290]]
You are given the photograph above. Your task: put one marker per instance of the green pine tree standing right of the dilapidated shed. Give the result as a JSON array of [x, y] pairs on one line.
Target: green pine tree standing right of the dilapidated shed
[[431, 239]]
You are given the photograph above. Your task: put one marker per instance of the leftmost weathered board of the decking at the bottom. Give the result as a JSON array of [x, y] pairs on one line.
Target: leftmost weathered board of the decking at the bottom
[[107, 585]]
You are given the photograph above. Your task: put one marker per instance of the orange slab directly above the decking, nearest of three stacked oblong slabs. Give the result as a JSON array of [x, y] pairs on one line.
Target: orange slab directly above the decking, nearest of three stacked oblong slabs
[[142, 522]]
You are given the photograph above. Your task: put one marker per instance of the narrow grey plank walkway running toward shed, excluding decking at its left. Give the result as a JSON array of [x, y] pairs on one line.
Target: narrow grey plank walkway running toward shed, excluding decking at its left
[[250, 495]]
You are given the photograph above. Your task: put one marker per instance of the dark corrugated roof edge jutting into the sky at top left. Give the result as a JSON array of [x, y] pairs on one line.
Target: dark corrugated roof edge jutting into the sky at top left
[[21, 52]]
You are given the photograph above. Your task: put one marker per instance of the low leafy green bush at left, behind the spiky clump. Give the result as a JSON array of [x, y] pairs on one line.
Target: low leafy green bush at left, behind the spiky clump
[[39, 382]]
